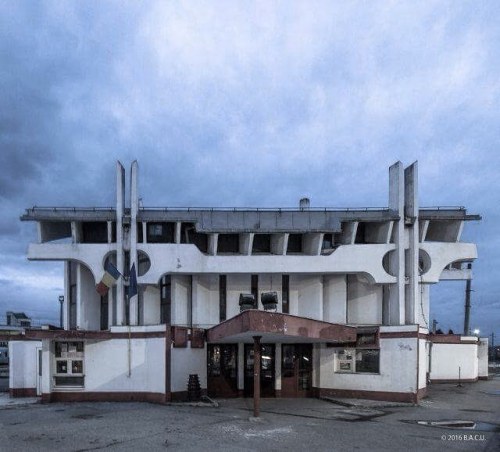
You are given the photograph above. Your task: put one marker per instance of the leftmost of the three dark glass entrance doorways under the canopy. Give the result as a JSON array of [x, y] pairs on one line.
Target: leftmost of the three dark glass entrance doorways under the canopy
[[222, 372]]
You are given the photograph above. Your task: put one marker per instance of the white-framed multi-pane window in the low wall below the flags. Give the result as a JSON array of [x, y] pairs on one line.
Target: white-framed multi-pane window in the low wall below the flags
[[69, 366]]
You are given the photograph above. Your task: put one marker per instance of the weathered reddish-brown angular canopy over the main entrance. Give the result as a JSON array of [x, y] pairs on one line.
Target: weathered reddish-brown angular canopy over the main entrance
[[276, 327]]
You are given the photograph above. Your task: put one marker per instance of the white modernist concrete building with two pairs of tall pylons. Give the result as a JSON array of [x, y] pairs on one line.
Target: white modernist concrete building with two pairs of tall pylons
[[296, 302]]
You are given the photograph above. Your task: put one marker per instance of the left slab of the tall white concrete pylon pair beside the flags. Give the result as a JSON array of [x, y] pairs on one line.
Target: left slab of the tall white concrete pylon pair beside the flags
[[120, 255]]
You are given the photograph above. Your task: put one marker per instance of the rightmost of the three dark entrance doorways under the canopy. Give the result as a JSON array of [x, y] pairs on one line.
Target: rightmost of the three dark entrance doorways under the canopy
[[296, 370]]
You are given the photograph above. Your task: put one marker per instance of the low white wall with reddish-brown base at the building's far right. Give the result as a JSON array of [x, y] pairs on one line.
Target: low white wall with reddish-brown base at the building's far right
[[446, 359]]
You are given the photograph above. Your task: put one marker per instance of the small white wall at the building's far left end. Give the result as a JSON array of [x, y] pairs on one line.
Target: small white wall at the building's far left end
[[23, 364]]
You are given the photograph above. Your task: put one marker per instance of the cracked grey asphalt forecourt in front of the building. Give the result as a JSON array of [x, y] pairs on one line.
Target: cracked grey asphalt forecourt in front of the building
[[285, 424]]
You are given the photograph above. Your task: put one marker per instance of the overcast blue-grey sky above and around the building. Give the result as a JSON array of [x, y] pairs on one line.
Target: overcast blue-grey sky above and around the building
[[249, 104]]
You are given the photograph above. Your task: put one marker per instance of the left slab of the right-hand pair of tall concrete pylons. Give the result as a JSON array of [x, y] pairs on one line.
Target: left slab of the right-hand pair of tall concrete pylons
[[397, 263]]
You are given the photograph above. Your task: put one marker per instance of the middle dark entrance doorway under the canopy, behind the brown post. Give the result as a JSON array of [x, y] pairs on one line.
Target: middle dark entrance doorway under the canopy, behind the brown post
[[267, 373]]
